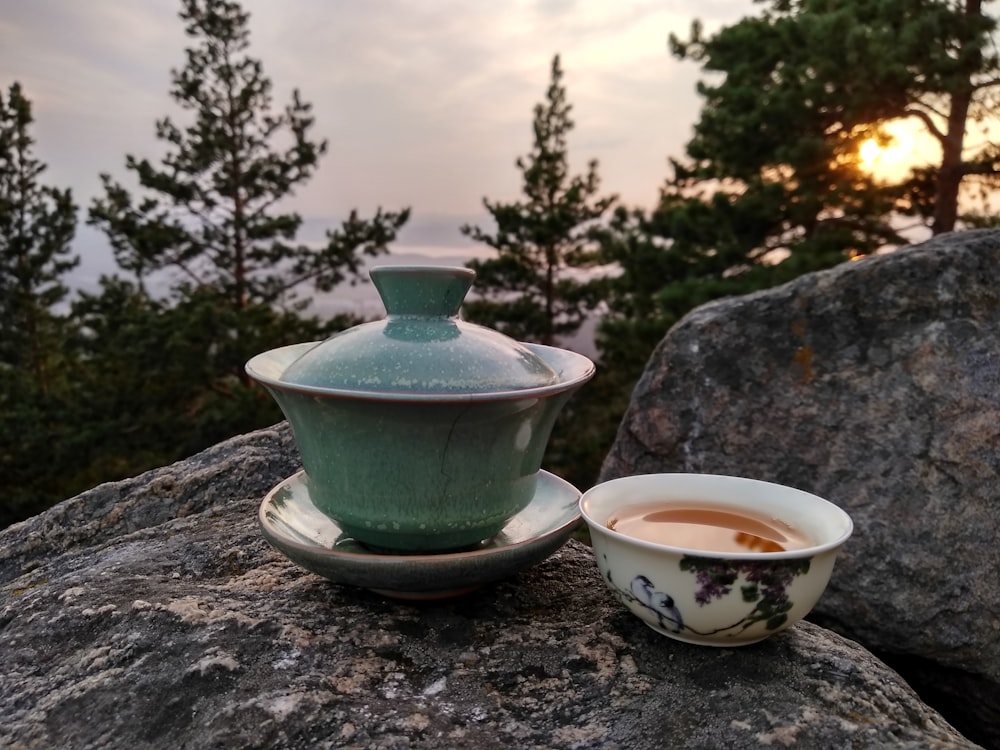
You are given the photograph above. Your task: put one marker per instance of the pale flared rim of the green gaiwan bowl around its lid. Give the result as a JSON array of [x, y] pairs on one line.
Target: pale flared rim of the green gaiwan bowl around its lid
[[571, 368]]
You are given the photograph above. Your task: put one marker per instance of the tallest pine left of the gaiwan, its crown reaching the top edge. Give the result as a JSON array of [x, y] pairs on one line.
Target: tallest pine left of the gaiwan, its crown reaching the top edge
[[210, 212]]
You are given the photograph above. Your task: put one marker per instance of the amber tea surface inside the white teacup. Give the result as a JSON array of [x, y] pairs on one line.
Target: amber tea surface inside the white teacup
[[710, 529]]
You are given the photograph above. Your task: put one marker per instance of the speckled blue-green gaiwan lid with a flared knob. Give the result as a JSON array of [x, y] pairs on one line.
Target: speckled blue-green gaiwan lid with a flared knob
[[421, 346]]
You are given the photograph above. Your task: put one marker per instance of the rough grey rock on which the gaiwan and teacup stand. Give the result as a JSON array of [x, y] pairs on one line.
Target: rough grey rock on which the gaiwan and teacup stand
[[150, 613]]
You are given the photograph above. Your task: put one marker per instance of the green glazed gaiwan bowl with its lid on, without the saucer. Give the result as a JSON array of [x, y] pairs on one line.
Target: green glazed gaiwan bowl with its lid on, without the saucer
[[421, 432]]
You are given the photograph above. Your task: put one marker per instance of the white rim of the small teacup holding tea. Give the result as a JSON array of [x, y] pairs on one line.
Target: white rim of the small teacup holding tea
[[601, 528]]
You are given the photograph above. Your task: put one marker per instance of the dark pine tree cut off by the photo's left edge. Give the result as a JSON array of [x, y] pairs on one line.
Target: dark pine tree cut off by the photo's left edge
[[37, 224]]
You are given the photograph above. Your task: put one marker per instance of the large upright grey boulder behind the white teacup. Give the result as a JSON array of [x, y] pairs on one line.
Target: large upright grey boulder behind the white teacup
[[876, 385]]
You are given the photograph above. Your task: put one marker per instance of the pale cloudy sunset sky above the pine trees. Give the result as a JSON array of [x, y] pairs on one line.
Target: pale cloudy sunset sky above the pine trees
[[425, 103]]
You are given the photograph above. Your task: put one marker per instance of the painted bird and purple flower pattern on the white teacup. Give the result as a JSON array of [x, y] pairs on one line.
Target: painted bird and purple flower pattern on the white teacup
[[764, 586]]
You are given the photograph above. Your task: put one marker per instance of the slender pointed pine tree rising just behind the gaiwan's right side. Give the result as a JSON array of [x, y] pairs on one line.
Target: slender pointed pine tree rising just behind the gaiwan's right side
[[526, 291]]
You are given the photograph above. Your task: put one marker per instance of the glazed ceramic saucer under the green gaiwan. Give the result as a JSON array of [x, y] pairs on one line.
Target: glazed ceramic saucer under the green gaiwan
[[293, 525]]
